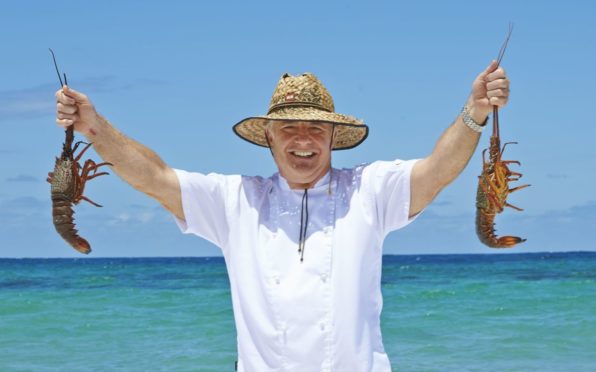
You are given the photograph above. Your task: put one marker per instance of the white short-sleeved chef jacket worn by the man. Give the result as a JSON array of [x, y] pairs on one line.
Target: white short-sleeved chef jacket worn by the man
[[322, 314]]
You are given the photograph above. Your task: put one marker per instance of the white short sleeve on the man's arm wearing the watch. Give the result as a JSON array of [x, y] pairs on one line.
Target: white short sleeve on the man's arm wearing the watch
[[389, 185]]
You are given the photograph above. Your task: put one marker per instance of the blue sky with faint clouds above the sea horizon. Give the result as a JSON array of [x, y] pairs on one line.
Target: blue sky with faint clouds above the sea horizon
[[177, 75]]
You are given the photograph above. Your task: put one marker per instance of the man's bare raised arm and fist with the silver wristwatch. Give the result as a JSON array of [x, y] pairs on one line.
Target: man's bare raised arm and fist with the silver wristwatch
[[457, 144]]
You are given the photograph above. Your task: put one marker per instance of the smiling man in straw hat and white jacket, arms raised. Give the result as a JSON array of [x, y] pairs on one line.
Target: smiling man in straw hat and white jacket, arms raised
[[303, 248]]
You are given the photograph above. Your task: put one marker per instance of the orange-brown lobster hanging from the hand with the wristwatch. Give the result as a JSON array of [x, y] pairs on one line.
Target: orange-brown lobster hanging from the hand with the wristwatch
[[493, 184]]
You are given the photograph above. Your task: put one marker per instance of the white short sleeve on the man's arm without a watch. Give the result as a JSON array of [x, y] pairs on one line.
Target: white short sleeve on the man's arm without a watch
[[204, 205]]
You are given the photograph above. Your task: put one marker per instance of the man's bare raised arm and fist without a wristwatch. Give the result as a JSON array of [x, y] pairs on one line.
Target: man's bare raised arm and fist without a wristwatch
[[136, 164]]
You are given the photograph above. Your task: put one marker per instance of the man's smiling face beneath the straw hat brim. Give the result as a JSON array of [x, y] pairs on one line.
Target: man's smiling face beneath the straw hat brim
[[301, 151]]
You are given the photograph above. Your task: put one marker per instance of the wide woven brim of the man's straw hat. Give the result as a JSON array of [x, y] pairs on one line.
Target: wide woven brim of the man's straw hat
[[349, 132]]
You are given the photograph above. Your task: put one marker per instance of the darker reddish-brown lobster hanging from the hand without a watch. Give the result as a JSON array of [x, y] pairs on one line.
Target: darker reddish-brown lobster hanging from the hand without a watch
[[68, 182]]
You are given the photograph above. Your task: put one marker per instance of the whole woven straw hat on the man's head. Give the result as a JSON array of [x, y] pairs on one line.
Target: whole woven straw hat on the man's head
[[303, 98]]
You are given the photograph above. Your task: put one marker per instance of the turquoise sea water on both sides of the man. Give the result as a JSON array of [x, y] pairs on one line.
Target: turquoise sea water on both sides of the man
[[513, 312]]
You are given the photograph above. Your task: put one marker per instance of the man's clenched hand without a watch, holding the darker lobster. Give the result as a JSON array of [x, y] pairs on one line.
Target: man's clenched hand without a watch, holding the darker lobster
[[74, 108]]
